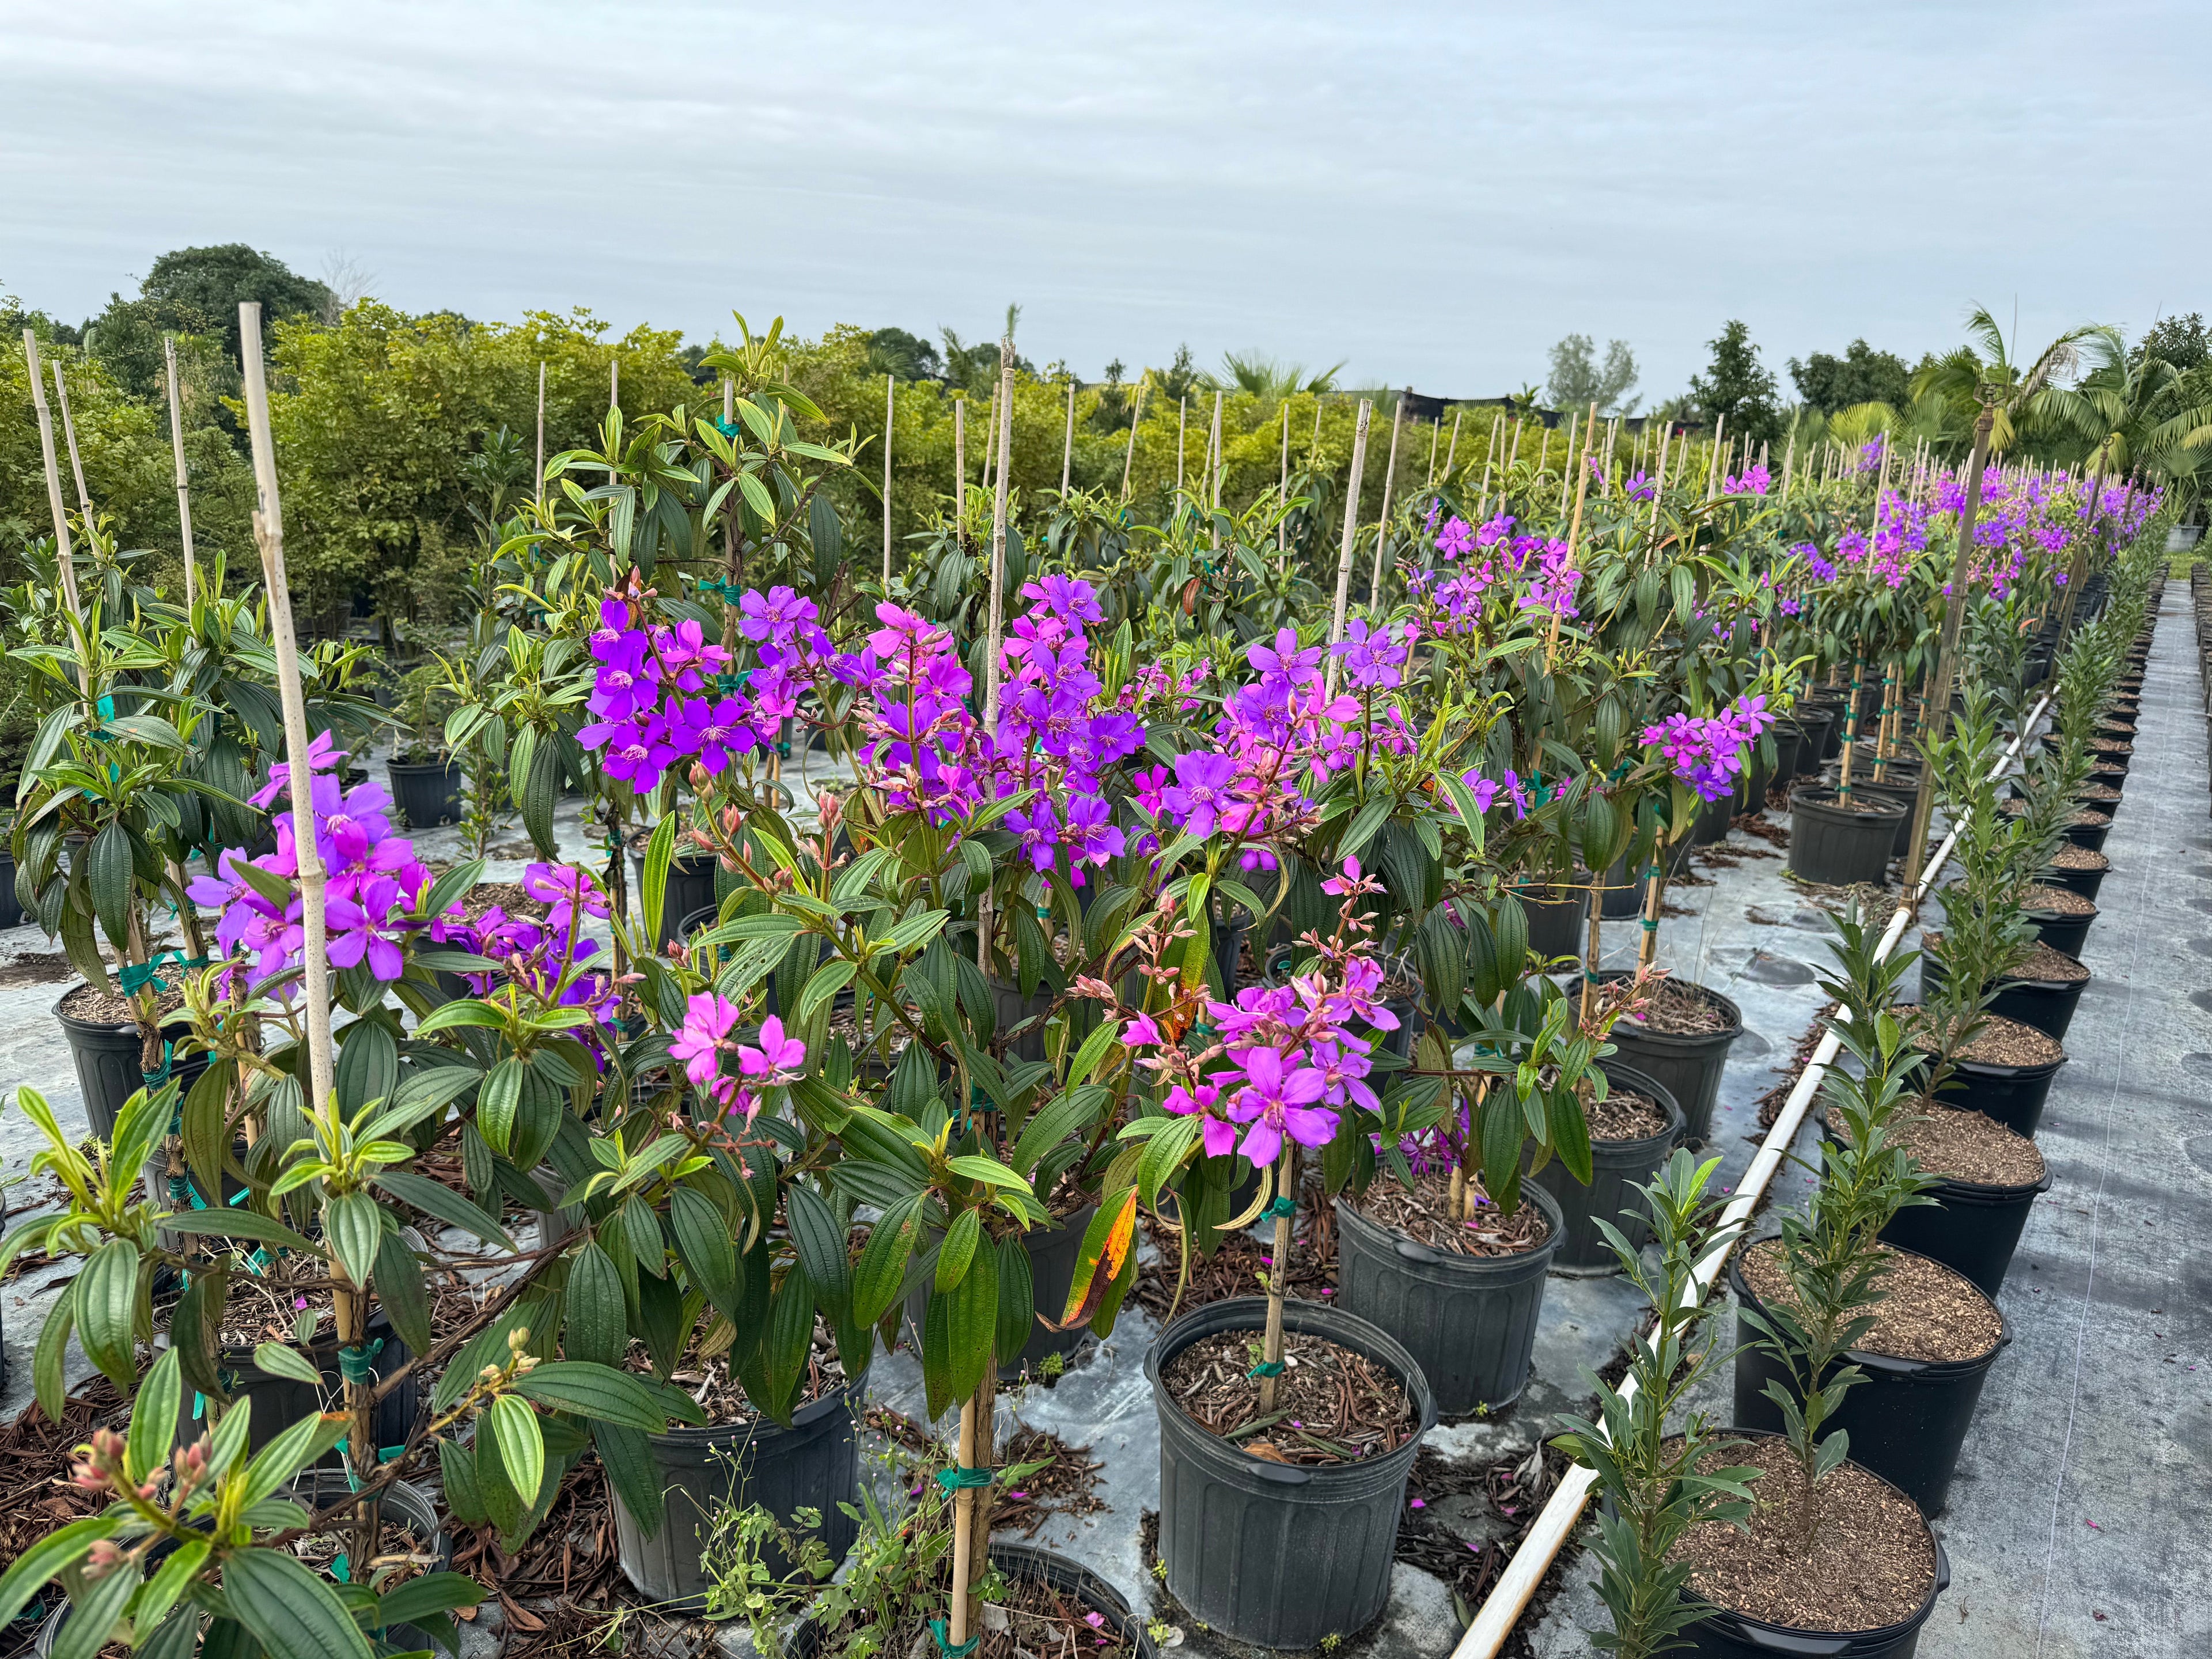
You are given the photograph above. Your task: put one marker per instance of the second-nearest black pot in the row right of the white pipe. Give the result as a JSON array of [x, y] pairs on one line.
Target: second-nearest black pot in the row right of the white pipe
[[1908, 1419]]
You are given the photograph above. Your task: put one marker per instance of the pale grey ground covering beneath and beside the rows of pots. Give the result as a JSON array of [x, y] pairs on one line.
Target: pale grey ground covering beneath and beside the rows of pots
[[2080, 1512]]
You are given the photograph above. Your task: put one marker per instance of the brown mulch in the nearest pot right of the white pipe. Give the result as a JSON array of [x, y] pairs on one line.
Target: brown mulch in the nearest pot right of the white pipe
[[1870, 1565]]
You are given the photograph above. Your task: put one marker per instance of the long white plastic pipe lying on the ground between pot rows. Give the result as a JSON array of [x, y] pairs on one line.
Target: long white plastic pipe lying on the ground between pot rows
[[1510, 1598]]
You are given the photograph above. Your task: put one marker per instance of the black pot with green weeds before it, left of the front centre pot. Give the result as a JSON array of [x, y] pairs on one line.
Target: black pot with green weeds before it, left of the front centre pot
[[811, 1465]]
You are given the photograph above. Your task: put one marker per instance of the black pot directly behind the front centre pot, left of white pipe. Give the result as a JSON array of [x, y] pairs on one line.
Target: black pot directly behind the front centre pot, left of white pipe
[[1468, 1322]]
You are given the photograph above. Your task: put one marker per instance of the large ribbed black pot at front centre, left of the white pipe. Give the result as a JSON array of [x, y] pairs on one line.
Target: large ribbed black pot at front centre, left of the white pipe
[[1280, 1554]]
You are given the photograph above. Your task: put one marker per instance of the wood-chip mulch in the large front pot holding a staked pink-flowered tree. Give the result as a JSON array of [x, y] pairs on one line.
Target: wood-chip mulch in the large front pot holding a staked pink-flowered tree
[[1331, 1404]]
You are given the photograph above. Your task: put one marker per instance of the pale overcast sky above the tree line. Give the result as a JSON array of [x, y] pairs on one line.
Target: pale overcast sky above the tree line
[[1430, 194]]
